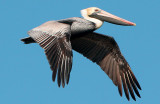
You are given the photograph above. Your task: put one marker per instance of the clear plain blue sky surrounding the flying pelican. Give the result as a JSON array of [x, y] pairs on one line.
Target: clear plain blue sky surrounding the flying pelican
[[25, 76]]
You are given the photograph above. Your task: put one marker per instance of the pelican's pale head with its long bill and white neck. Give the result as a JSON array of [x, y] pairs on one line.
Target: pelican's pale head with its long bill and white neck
[[98, 16]]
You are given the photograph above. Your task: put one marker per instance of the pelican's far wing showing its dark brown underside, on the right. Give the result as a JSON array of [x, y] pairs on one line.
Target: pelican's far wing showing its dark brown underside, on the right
[[105, 52]]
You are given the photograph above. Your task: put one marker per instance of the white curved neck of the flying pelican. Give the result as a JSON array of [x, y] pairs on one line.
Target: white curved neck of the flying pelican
[[98, 22]]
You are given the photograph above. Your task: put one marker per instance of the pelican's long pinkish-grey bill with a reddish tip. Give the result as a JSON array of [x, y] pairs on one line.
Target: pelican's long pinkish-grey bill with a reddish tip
[[105, 16]]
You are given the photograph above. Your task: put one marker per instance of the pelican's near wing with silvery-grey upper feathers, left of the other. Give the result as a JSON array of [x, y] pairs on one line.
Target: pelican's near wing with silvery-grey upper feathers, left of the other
[[54, 38]]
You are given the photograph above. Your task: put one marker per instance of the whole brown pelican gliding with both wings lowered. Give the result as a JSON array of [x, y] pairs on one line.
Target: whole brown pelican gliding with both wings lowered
[[58, 38]]
